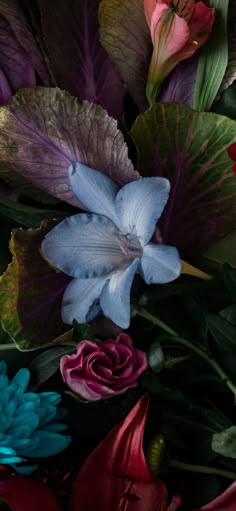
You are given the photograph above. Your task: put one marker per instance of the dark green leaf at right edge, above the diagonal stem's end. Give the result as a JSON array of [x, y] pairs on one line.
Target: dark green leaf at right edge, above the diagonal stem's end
[[223, 332]]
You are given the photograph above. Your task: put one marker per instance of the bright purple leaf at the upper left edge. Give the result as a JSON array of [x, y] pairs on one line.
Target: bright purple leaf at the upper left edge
[[15, 63]]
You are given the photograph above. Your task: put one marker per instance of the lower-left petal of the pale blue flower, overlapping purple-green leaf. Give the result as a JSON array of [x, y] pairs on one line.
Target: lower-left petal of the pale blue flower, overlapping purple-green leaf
[[80, 298]]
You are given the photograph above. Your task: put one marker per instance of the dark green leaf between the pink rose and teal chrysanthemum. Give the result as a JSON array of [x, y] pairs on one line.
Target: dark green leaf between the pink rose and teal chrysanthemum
[[45, 365]]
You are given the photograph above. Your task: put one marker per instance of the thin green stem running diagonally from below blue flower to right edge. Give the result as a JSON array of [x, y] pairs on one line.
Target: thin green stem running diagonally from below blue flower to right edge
[[201, 352]]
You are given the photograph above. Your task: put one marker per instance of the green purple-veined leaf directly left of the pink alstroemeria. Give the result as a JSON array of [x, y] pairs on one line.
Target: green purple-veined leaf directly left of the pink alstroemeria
[[126, 37]]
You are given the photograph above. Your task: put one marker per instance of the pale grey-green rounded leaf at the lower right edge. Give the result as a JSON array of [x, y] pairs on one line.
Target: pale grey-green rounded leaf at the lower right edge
[[224, 443]]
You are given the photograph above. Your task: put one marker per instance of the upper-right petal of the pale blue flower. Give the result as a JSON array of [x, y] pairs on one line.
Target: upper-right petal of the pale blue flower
[[140, 204]]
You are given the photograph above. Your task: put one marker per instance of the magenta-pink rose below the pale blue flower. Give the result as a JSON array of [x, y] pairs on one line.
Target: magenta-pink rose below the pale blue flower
[[101, 371]]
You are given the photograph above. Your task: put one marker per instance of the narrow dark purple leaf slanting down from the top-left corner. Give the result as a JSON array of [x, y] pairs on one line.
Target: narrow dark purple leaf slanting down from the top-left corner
[[11, 11]]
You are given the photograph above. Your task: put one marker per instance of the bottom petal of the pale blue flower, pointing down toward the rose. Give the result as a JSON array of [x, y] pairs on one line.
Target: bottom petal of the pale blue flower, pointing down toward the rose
[[115, 296]]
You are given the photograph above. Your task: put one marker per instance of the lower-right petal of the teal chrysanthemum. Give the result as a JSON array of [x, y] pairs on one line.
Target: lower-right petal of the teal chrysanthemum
[[50, 444]]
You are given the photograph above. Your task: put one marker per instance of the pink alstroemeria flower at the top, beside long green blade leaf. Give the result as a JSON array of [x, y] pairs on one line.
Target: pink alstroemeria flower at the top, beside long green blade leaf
[[178, 28]]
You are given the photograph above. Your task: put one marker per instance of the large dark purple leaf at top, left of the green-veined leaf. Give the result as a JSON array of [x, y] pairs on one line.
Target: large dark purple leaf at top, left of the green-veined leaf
[[79, 62]]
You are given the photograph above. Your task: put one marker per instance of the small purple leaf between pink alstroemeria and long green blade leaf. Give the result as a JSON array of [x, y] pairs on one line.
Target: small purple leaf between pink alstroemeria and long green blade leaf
[[179, 86]]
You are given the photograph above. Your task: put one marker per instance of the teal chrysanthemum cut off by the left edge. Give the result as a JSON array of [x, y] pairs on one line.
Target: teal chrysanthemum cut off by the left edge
[[30, 424]]
